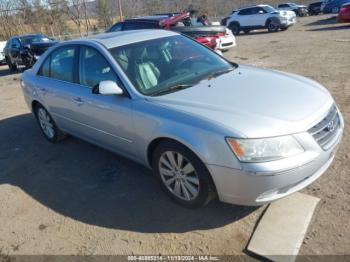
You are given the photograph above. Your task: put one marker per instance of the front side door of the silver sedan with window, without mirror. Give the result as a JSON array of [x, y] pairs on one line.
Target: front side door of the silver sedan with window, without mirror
[[104, 119]]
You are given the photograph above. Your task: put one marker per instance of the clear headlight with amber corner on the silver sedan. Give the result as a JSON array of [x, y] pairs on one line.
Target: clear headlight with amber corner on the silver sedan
[[264, 149]]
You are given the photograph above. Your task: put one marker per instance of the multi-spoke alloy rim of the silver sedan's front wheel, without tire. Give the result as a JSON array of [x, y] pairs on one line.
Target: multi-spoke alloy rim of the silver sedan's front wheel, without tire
[[179, 175]]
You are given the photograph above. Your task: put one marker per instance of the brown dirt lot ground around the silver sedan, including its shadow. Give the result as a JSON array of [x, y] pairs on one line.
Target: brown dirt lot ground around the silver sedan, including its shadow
[[75, 198]]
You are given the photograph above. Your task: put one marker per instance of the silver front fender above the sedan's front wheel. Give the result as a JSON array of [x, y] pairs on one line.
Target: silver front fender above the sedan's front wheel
[[204, 138]]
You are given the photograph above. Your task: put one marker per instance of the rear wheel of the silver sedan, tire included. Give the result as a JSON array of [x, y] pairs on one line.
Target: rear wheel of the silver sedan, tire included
[[47, 125]]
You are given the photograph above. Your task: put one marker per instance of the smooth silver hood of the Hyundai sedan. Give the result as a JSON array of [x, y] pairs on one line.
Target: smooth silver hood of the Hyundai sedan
[[254, 102]]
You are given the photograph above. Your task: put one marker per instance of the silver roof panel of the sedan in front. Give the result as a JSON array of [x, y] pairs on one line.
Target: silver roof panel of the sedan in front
[[115, 39]]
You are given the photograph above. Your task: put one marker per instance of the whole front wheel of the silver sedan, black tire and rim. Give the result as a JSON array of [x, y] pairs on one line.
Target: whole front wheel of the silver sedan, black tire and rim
[[182, 175]]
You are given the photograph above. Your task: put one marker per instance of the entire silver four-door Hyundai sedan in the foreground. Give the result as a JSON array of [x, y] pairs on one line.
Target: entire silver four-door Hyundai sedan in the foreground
[[206, 126]]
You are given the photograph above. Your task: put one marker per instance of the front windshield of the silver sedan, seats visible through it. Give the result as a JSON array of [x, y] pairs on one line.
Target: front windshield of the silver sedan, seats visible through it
[[168, 64]]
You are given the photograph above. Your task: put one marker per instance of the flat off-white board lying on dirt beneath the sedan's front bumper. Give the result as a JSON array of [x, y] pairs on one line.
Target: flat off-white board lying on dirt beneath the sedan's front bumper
[[282, 228]]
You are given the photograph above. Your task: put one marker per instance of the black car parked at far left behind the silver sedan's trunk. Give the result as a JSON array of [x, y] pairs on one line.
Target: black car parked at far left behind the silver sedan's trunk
[[26, 49]]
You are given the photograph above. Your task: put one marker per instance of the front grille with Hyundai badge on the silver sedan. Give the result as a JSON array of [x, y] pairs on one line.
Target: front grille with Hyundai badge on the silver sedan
[[326, 131]]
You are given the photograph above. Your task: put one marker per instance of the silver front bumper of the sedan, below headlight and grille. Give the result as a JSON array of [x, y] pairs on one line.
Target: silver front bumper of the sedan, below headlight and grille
[[260, 183]]
